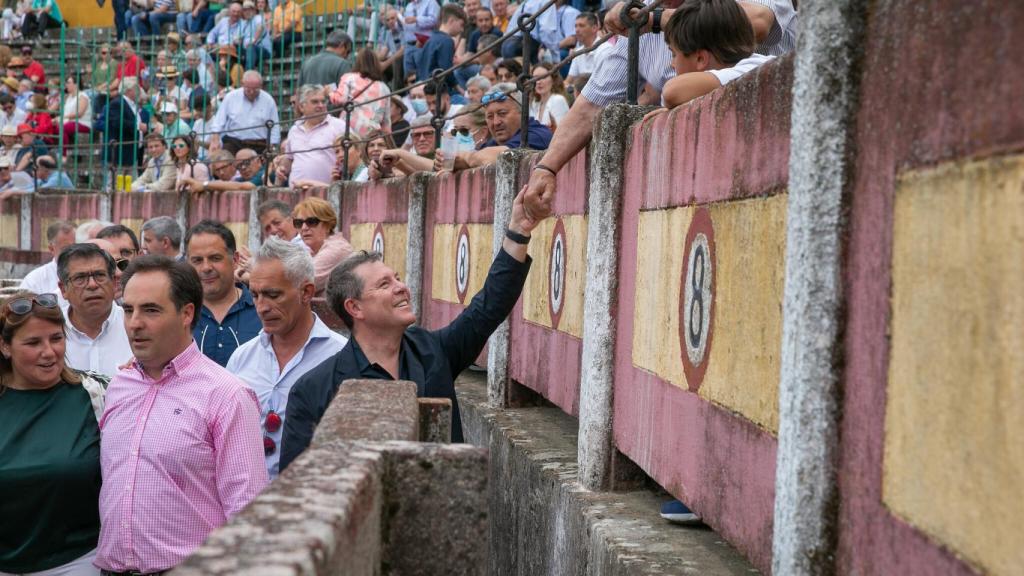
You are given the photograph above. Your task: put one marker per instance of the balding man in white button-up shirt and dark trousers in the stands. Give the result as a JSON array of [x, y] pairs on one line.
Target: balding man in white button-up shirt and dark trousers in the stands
[[243, 117]]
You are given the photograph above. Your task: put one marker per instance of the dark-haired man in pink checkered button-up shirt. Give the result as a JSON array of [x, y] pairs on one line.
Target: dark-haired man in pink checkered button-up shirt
[[183, 449]]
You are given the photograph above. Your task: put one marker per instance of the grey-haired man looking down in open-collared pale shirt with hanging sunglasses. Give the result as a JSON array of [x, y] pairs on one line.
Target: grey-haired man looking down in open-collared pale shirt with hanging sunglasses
[[293, 341]]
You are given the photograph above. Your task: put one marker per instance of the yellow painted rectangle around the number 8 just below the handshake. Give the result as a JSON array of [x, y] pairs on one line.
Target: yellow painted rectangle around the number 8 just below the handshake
[[535, 297]]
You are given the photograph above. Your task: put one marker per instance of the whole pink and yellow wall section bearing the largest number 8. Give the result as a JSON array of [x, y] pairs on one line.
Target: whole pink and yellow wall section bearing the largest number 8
[[700, 303]]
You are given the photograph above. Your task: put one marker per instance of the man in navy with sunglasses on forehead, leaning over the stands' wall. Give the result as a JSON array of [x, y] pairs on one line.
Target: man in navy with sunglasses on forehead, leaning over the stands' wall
[[505, 125]]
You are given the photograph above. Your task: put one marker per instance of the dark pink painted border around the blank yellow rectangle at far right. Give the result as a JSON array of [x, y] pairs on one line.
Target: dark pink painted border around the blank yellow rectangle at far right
[[948, 107]]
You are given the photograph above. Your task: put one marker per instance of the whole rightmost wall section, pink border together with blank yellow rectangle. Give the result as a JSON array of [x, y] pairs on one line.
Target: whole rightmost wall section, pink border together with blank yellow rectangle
[[933, 337]]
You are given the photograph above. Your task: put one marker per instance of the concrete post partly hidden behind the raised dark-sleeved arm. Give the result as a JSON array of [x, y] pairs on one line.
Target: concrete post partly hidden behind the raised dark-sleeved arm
[[507, 185]]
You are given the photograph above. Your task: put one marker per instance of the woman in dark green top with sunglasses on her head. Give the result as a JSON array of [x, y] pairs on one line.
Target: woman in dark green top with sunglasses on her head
[[50, 445]]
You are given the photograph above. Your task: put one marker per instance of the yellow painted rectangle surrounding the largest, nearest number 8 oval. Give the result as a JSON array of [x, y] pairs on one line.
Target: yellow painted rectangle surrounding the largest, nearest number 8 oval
[[744, 361]]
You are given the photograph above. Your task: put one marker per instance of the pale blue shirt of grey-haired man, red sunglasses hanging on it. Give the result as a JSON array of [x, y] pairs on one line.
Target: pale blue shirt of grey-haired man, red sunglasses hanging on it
[[257, 364]]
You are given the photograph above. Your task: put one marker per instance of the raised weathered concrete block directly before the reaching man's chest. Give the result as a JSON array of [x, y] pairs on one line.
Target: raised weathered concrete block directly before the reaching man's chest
[[373, 410]]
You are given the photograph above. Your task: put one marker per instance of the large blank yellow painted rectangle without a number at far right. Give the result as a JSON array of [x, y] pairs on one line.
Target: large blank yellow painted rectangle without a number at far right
[[955, 415]]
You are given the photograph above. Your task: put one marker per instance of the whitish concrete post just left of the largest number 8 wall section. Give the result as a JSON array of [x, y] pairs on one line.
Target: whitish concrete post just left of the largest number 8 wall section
[[612, 140]]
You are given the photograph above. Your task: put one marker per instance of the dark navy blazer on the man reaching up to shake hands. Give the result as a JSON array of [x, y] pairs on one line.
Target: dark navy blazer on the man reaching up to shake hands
[[432, 359]]
